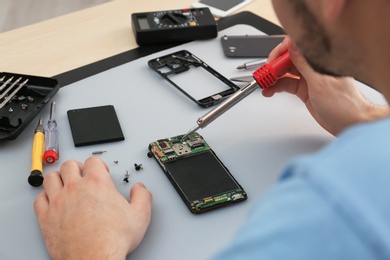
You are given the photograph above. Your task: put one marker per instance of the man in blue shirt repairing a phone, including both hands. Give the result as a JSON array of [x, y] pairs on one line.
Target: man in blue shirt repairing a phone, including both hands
[[330, 205]]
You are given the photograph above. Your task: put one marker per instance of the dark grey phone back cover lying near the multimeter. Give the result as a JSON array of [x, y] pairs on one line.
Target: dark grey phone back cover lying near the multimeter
[[250, 45]]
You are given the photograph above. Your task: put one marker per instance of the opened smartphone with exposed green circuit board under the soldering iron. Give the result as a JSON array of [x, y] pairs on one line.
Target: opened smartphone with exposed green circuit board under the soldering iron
[[196, 172]]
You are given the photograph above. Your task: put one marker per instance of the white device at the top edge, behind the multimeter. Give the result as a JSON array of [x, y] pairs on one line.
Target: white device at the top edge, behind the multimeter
[[221, 8]]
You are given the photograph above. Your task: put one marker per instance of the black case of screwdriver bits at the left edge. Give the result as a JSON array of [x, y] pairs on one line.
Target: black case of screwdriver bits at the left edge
[[21, 99]]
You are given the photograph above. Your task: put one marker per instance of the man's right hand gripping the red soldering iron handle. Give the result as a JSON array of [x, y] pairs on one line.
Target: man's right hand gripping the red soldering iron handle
[[335, 103]]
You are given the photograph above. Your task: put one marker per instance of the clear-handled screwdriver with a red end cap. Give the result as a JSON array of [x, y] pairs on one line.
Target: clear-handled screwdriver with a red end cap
[[51, 154]]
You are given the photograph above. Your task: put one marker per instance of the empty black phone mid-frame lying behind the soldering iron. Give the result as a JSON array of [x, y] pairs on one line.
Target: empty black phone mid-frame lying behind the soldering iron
[[194, 78]]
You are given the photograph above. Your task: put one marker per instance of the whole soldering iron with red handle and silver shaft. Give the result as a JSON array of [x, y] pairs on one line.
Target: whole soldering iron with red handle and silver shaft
[[265, 77]]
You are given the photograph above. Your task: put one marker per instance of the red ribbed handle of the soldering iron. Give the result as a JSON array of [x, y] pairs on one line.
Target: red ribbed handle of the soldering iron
[[269, 73]]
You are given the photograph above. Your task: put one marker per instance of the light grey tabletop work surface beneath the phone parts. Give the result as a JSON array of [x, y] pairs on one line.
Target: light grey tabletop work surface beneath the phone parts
[[255, 140]]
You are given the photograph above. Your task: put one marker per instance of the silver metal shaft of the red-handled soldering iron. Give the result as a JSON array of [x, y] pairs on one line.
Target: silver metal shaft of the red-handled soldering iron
[[225, 106]]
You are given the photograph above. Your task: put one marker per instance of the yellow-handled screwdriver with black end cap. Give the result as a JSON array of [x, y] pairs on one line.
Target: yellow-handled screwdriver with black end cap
[[36, 177]]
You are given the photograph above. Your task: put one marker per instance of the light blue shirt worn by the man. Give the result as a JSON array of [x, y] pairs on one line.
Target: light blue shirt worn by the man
[[334, 204]]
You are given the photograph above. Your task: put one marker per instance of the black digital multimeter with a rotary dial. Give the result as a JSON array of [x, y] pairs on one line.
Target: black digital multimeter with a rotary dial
[[174, 26]]
